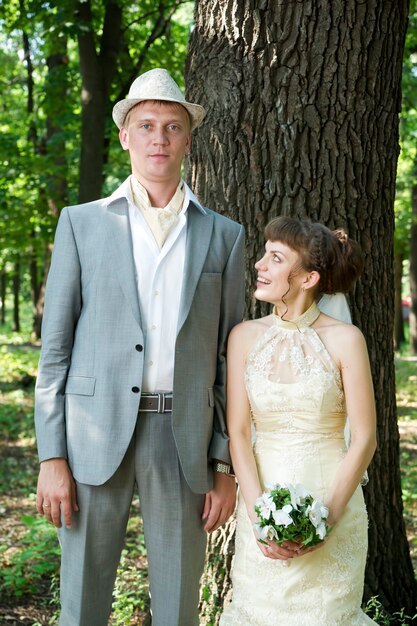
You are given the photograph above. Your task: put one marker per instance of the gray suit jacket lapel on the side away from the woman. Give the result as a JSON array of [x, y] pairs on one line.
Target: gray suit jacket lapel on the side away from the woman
[[121, 252]]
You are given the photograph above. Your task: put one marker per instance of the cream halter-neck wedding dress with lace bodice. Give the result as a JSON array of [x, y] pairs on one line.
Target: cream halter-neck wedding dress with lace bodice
[[298, 410]]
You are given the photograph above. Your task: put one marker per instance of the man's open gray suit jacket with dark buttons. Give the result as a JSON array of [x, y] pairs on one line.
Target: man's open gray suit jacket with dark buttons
[[85, 406]]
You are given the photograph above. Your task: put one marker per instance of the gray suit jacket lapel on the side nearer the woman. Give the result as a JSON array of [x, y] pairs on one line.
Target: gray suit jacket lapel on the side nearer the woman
[[199, 230]]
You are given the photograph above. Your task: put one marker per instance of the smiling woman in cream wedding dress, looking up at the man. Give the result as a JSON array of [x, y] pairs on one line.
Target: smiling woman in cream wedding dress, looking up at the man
[[298, 373]]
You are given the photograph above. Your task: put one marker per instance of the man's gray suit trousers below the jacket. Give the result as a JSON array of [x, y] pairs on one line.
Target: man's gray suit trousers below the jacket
[[173, 529]]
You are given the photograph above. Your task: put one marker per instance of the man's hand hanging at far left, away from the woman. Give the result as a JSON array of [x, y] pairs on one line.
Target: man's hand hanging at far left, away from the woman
[[56, 492]]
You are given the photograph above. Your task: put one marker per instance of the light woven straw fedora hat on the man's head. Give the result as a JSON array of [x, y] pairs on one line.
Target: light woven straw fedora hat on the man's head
[[156, 84]]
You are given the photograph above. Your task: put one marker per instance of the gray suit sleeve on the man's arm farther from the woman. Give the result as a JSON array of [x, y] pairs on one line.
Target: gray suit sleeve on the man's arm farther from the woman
[[62, 309]]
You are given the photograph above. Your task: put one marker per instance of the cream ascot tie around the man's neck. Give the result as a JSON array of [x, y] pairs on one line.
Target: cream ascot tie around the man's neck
[[160, 220]]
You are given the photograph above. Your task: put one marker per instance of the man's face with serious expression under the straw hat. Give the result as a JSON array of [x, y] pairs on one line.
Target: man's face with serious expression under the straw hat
[[157, 137]]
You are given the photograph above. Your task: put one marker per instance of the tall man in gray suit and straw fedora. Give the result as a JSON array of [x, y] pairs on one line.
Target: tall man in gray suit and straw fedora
[[143, 290]]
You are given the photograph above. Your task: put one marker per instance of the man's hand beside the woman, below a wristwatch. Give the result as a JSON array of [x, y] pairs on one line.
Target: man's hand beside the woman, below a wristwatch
[[220, 502]]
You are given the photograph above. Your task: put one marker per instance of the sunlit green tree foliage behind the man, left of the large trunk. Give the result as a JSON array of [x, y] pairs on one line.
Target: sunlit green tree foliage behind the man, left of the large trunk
[[40, 109]]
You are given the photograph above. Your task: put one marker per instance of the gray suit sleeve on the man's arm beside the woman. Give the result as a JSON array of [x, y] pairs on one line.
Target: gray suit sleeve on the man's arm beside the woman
[[232, 305]]
